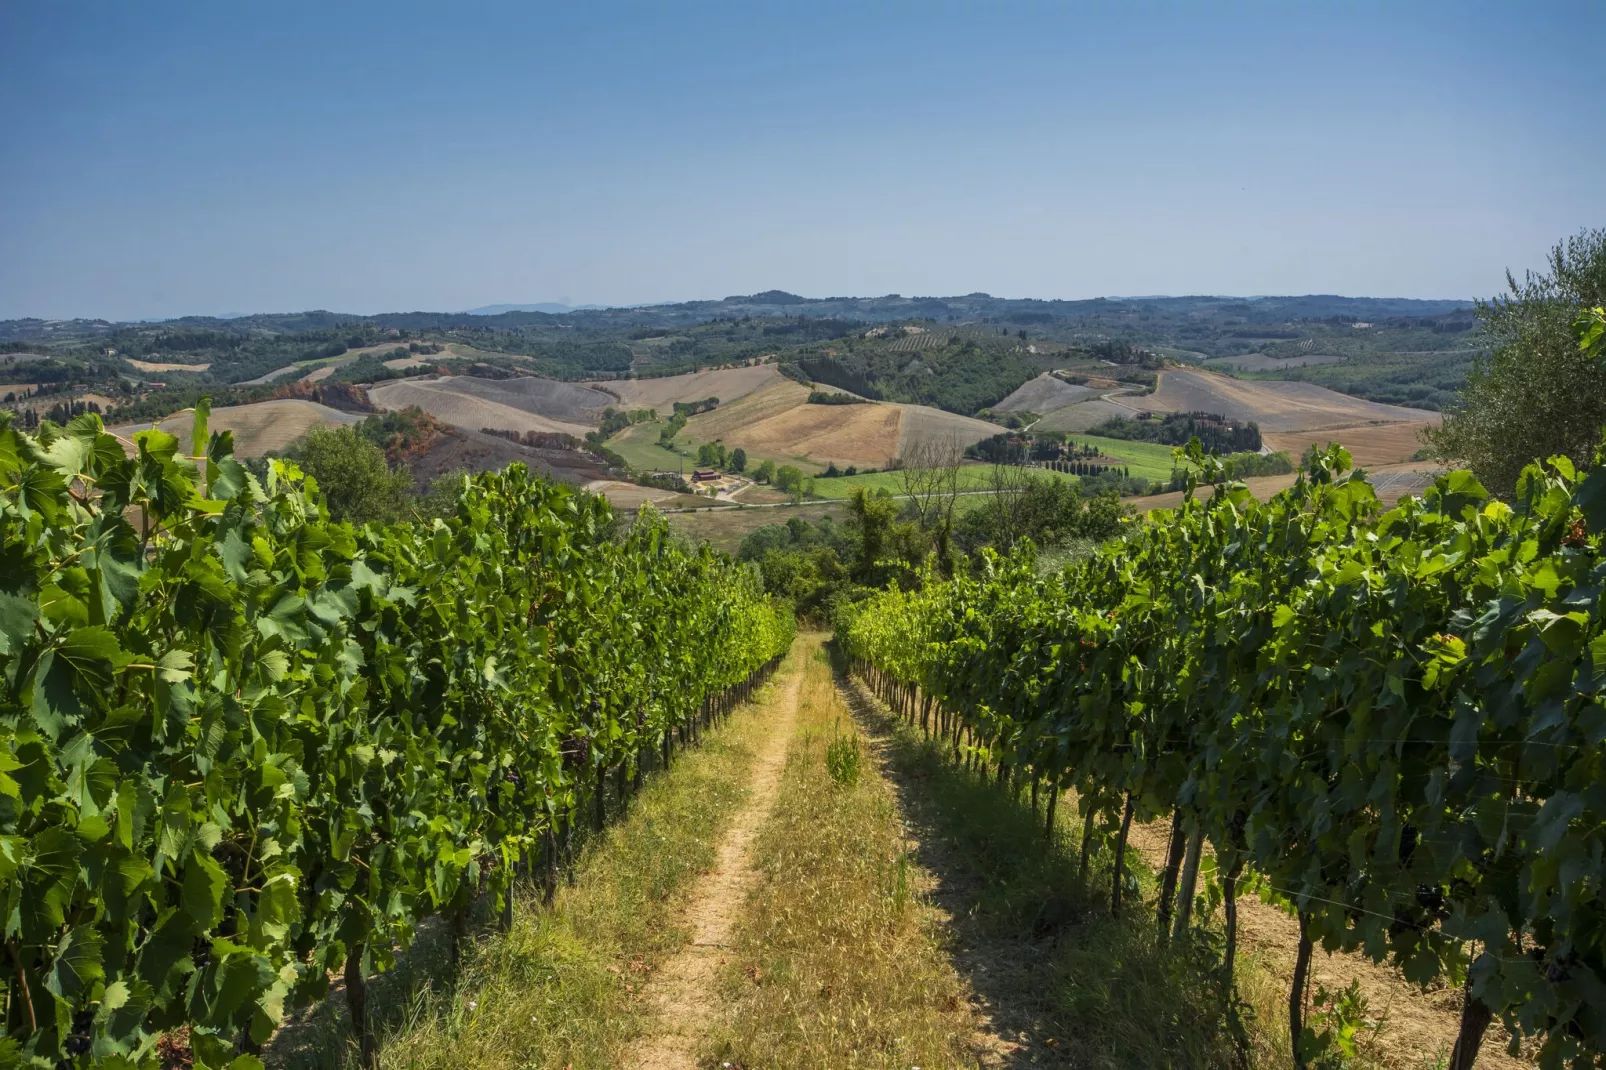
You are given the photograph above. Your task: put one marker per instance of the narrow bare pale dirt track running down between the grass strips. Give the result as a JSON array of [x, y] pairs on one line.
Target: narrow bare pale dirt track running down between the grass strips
[[683, 994]]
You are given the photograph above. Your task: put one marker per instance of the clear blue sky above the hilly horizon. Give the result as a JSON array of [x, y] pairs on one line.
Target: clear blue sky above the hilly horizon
[[221, 158]]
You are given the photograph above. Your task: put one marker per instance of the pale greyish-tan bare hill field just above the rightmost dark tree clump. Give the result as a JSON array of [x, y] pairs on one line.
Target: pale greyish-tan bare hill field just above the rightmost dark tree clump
[[1273, 406]]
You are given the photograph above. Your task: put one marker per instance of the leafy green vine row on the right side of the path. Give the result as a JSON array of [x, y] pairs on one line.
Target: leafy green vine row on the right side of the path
[[1387, 721]]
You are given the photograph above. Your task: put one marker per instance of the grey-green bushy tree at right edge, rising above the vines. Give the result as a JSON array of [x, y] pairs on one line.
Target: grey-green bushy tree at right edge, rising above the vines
[[1536, 394]]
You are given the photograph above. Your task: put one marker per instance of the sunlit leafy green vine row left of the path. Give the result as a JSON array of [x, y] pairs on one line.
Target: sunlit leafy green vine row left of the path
[[247, 751]]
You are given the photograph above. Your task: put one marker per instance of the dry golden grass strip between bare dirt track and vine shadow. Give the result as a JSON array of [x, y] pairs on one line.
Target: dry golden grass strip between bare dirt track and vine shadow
[[841, 958]]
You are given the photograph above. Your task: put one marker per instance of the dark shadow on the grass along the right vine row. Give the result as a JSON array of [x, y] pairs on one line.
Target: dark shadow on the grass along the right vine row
[[1061, 981]]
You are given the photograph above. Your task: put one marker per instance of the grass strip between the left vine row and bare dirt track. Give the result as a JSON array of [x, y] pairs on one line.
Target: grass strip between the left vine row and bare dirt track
[[565, 989]]
